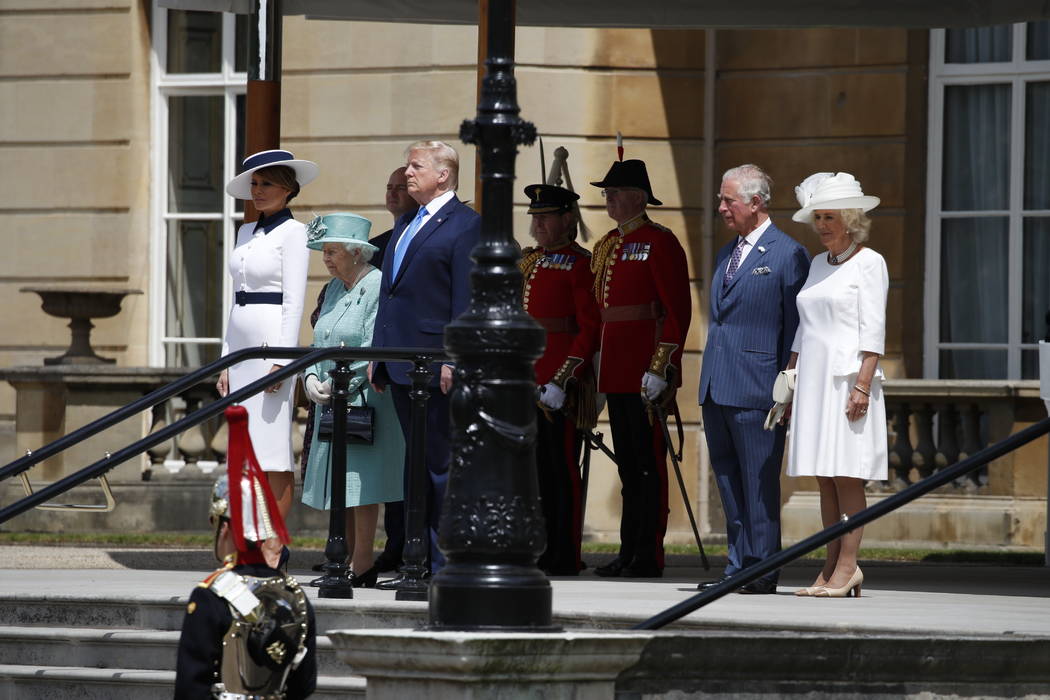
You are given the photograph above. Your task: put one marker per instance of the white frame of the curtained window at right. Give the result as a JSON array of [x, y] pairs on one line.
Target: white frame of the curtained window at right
[[1018, 73]]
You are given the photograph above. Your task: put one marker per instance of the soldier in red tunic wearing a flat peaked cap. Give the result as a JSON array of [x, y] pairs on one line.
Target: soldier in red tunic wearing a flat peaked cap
[[557, 292]]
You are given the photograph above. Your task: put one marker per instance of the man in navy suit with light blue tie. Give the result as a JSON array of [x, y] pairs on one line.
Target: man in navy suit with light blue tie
[[427, 285]]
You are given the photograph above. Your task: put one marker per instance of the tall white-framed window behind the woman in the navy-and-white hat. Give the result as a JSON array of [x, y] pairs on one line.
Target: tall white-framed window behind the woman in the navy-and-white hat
[[199, 78]]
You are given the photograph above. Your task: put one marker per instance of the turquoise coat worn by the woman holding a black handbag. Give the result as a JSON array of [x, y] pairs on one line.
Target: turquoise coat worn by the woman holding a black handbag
[[374, 473]]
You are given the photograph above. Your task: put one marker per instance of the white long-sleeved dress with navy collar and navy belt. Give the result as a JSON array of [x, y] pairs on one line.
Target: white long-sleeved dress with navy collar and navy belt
[[270, 256]]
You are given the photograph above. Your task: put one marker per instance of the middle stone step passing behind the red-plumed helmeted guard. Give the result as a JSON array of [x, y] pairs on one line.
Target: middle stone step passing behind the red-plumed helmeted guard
[[106, 648]]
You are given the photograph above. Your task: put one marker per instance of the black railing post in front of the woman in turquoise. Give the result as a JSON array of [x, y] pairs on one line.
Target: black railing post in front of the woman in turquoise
[[335, 584]]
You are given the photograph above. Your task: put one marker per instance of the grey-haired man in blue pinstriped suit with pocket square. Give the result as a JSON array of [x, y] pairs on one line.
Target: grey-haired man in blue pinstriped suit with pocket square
[[753, 322]]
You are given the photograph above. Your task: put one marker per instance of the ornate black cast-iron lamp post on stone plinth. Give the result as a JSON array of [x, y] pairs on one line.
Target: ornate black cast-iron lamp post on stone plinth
[[492, 527]]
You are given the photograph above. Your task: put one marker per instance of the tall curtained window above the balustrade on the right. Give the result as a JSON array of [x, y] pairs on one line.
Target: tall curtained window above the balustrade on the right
[[989, 222]]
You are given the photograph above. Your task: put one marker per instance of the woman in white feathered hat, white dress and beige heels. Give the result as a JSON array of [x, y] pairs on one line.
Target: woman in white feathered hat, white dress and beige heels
[[839, 417]]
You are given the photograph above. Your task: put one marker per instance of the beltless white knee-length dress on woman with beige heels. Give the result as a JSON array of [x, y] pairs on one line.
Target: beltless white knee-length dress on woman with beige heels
[[843, 313]]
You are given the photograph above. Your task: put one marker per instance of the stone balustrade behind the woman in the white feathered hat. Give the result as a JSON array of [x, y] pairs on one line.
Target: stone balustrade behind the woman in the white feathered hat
[[932, 426]]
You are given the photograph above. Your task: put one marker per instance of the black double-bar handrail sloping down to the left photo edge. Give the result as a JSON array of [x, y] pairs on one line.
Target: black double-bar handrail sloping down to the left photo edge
[[305, 357]]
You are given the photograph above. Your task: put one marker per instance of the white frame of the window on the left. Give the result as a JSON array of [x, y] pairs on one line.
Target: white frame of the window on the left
[[229, 84]]
